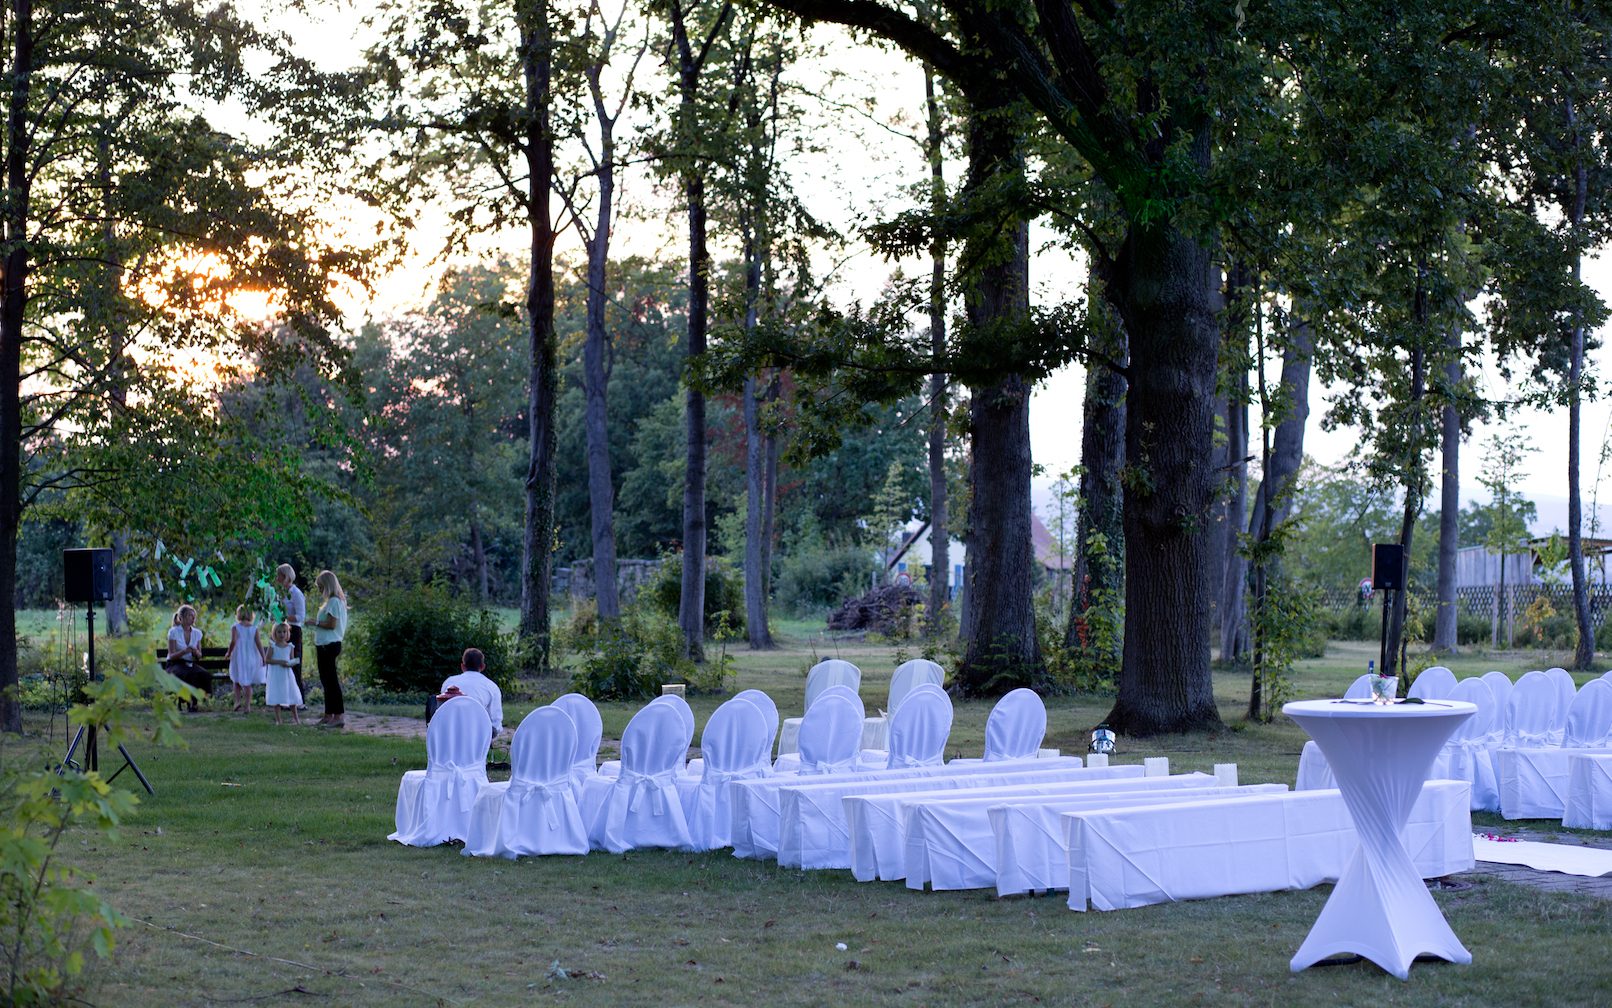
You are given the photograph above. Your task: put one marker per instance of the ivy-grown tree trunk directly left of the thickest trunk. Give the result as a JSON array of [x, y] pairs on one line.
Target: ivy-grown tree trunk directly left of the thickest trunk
[[1100, 573]]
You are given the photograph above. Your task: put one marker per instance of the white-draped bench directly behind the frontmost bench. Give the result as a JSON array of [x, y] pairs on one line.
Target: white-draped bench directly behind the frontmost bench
[[1031, 854]]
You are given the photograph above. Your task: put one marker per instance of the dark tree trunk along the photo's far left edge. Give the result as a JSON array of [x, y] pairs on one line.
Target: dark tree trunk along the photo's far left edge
[[14, 301]]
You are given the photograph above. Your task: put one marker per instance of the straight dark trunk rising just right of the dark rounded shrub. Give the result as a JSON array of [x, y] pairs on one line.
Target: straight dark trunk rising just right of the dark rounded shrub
[[539, 535]]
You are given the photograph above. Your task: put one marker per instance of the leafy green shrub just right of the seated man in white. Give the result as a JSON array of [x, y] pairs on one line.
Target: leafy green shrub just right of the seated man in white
[[628, 659]]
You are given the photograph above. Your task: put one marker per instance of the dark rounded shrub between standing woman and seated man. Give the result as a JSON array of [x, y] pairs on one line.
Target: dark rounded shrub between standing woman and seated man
[[409, 643]]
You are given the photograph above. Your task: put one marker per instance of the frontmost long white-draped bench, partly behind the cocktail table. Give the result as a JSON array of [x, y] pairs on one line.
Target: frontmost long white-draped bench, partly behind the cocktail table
[[1144, 856]]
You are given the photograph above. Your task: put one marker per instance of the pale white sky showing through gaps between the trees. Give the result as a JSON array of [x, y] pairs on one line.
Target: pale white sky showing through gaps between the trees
[[860, 167]]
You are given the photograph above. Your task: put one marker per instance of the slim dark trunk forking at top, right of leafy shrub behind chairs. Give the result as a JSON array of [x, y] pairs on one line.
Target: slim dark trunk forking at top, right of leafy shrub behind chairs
[[691, 604]]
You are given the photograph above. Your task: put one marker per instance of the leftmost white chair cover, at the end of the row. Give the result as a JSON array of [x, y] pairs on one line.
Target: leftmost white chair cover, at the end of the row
[[434, 806]]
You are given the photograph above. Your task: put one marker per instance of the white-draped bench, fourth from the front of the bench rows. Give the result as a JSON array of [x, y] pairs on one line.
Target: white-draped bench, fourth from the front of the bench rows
[[878, 822]]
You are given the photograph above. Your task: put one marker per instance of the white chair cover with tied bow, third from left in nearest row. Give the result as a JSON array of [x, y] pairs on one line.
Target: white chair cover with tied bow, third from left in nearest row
[[641, 807]]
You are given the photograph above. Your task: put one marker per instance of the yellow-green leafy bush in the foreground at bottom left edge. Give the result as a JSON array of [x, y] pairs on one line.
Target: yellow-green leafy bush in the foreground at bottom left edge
[[49, 917]]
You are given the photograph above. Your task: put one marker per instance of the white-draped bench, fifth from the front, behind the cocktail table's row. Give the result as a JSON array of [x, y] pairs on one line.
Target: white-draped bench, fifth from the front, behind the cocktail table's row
[[813, 831]]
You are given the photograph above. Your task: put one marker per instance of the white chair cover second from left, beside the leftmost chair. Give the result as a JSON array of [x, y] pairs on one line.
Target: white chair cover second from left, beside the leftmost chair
[[536, 810]]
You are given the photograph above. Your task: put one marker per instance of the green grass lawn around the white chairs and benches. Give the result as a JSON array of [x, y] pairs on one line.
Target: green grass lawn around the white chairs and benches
[[260, 873]]
